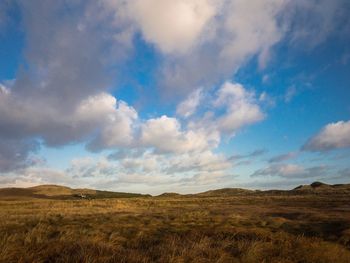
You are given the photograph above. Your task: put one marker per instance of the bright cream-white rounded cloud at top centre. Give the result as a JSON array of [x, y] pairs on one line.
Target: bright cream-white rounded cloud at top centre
[[173, 25]]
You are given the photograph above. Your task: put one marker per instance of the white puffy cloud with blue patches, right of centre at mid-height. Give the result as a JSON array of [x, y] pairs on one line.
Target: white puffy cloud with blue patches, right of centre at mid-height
[[230, 108]]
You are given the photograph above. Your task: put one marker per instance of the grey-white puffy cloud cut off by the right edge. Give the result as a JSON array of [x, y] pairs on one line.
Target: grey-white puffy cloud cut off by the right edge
[[332, 136]]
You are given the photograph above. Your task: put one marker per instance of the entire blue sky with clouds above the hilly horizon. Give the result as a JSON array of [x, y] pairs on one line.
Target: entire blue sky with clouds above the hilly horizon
[[154, 96]]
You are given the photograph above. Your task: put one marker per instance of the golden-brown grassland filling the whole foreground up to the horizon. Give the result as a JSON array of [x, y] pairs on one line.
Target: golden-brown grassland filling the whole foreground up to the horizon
[[310, 224]]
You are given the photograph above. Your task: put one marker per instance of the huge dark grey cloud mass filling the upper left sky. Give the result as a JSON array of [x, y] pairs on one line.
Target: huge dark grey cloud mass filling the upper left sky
[[67, 57]]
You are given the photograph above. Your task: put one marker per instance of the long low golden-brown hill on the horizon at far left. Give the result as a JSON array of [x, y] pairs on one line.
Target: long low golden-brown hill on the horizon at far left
[[61, 192]]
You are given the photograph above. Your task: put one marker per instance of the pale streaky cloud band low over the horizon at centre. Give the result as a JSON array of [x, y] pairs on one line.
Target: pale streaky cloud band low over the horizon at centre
[[152, 168]]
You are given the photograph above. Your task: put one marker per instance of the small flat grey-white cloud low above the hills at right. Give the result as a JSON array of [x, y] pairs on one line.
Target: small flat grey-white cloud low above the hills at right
[[291, 171]]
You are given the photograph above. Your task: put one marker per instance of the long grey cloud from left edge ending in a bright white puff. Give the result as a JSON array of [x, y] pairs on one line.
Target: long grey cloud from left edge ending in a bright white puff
[[56, 126]]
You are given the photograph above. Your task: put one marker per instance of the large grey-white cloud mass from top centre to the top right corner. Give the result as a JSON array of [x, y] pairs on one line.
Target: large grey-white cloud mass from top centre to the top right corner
[[237, 32]]
